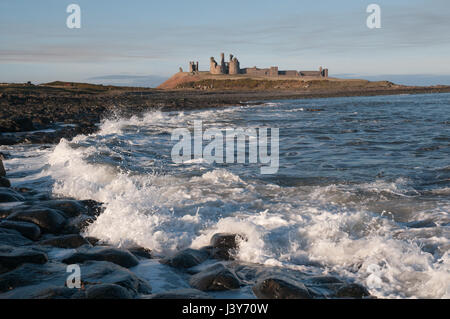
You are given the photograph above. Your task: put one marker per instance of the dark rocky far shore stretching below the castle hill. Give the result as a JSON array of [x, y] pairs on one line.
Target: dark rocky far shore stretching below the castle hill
[[46, 113]]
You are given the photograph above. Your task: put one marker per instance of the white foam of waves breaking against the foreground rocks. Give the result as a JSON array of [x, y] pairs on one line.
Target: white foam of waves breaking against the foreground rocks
[[337, 227]]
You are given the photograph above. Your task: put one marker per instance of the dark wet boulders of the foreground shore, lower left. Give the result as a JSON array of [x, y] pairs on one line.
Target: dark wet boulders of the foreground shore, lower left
[[40, 236]]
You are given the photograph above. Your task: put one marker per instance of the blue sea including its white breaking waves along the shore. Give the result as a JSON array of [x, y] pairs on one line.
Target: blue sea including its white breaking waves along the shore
[[363, 189]]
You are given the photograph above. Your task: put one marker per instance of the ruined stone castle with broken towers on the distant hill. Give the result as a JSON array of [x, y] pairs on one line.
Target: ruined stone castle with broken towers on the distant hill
[[232, 67]]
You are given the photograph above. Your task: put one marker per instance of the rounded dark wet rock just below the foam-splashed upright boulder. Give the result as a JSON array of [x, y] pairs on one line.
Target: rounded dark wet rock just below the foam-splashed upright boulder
[[215, 278]]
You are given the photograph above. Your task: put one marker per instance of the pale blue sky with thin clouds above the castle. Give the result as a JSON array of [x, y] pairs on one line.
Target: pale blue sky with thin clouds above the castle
[[142, 42]]
